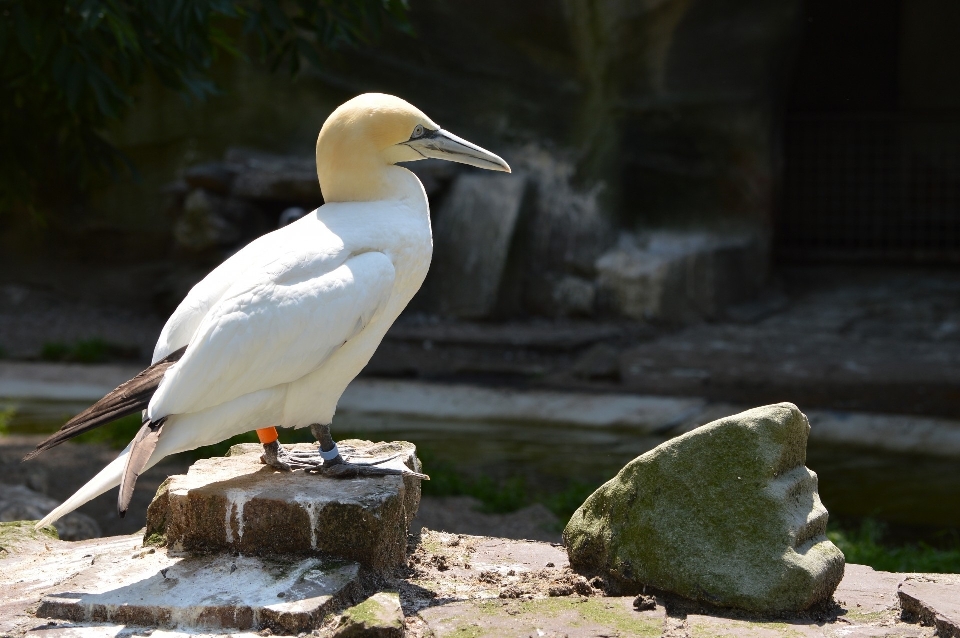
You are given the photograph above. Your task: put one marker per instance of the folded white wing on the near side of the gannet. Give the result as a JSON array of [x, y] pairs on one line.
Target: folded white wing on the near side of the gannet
[[273, 327]]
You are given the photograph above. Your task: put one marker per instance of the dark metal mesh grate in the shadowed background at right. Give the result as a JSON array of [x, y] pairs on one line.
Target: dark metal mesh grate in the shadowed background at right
[[878, 187]]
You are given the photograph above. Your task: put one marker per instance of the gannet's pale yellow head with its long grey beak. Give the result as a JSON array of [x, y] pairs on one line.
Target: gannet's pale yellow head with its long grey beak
[[373, 131]]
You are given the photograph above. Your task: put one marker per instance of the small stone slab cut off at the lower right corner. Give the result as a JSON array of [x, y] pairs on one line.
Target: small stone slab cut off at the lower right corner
[[935, 600]]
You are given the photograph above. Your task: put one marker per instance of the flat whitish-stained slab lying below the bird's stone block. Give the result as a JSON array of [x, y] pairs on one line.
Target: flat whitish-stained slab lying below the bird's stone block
[[215, 592]]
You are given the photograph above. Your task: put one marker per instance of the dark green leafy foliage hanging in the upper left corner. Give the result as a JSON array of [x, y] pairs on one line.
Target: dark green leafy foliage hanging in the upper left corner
[[69, 67]]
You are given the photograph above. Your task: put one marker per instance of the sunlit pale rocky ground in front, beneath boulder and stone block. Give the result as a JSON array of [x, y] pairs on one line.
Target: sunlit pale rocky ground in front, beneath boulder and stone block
[[452, 585]]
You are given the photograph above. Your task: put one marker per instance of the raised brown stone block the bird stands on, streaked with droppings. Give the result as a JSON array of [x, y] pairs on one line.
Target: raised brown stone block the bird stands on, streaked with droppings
[[237, 504]]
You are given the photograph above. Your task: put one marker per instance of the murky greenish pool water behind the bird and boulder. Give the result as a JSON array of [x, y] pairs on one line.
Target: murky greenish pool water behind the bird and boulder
[[912, 493]]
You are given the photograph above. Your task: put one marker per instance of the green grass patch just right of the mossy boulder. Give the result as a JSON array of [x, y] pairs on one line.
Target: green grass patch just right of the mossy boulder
[[865, 546]]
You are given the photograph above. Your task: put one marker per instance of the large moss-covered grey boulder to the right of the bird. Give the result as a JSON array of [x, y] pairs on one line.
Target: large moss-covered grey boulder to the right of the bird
[[725, 514]]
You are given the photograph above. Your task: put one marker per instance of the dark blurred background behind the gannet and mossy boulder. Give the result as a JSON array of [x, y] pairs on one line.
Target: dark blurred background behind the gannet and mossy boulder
[[714, 205]]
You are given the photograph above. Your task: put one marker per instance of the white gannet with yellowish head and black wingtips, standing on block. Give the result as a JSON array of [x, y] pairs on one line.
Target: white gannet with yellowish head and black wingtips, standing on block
[[274, 335]]
